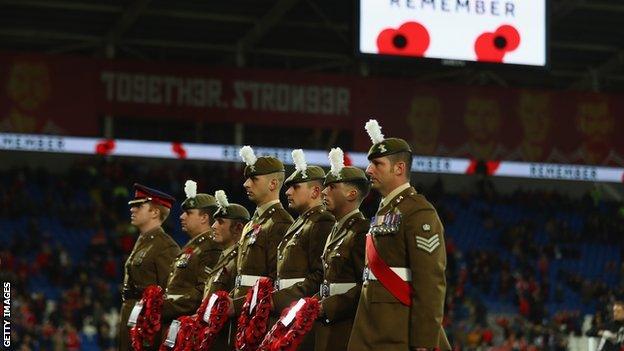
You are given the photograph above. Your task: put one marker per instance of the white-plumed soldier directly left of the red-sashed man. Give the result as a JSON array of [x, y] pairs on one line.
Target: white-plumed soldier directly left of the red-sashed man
[[343, 256]]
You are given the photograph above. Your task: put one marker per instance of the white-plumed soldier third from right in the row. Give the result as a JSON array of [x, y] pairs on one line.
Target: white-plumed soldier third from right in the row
[[299, 266]]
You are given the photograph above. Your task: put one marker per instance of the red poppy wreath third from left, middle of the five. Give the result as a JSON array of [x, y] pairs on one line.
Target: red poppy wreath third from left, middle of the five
[[218, 317]]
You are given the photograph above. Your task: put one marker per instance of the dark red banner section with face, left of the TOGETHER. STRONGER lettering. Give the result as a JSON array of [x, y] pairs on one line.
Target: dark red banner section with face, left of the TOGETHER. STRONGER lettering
[[47, 94]]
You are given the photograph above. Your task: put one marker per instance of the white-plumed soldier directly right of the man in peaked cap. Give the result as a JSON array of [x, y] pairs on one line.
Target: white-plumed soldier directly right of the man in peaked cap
[[186, 281]]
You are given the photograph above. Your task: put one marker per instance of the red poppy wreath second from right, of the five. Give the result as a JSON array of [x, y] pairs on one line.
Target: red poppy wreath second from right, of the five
[[252, 326]]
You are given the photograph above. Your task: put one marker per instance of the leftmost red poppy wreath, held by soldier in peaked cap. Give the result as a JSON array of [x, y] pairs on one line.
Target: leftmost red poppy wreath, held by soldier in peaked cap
[[148, 323]]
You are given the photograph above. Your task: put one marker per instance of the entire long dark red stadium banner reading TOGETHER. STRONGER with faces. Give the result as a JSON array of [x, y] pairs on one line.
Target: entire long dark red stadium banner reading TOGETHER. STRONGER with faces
[[67, 95]]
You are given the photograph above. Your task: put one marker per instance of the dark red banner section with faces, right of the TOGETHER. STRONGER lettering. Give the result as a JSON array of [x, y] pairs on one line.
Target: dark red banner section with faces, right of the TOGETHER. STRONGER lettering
[[496, 123]]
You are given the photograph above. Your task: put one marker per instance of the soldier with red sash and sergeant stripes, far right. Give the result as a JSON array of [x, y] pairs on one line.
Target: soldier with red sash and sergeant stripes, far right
[[402, 300]]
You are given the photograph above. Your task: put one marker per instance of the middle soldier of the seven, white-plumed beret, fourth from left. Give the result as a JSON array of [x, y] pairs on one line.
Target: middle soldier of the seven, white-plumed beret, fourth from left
[[257, 252]]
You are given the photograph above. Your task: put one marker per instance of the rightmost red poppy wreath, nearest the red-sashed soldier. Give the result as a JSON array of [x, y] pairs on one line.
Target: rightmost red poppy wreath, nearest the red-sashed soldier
[[289, 337]]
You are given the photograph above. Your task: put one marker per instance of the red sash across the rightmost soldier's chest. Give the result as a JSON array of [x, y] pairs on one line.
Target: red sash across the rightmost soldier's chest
[[399, 288]]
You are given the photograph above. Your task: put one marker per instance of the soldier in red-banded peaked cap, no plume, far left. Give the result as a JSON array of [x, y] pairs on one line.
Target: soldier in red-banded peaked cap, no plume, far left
[[150, 260]]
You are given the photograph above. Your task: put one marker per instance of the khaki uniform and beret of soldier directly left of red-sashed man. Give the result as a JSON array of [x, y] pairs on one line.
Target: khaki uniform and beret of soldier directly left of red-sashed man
[[343, 263]]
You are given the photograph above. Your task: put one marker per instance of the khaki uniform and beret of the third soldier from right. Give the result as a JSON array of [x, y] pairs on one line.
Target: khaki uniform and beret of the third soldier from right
[[299, 266]]
